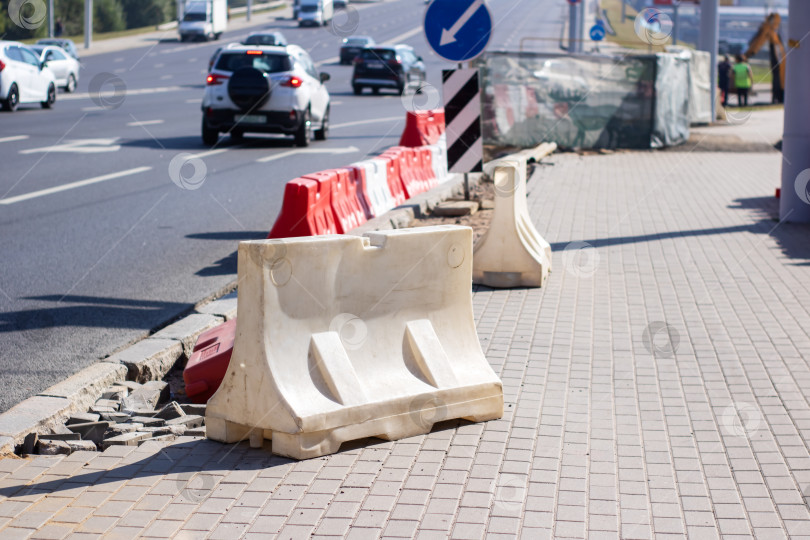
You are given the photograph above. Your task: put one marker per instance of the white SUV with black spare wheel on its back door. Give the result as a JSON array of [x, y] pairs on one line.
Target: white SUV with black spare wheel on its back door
[[265, 90]]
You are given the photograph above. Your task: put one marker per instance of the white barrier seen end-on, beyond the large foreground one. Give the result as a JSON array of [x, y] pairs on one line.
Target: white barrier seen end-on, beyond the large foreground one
[[512, 253]]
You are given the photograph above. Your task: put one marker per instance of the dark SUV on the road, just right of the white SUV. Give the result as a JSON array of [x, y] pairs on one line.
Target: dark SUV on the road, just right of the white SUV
[[392, 67]]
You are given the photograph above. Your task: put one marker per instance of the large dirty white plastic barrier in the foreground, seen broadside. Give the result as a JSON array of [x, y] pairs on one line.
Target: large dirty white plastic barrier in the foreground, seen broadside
[[344, 337]]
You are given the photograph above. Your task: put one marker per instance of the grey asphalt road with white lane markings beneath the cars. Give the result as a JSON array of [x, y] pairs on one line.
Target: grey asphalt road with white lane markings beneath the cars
[[98, 244]]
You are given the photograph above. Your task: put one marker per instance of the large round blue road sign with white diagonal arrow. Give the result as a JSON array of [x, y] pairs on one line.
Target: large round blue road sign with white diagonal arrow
[[458, 30]]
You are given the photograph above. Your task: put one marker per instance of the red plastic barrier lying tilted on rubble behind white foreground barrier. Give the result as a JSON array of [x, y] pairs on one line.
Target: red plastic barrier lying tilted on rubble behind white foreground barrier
[[209, 361]]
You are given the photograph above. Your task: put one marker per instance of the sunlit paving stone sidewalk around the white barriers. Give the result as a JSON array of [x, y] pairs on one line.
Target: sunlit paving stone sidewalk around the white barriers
[[658, 386]]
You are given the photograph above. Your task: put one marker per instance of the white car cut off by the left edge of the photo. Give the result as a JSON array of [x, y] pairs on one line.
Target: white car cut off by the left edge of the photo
[[23, 78]]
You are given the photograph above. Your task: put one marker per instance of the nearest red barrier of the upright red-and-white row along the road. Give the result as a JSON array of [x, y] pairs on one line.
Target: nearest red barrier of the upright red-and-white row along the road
[[306, 211]]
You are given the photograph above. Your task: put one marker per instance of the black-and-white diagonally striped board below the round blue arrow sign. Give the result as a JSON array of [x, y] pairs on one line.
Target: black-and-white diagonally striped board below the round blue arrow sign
[[462, 114]]
